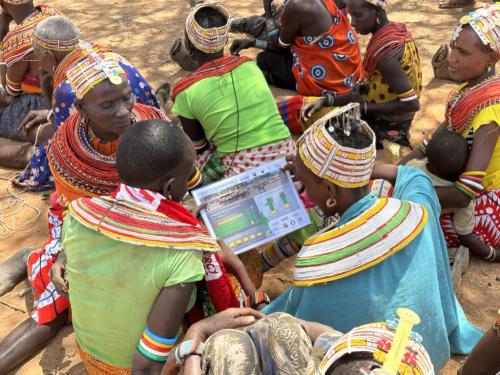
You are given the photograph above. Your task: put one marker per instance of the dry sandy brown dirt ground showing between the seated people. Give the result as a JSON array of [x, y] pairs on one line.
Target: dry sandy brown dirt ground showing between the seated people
[[143, 32]]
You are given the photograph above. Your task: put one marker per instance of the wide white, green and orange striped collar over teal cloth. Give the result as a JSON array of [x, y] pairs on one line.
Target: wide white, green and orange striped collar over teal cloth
[[387, 227]]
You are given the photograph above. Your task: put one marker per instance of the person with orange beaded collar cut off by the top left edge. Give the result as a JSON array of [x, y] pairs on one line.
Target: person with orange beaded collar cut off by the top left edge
[[21, 90]]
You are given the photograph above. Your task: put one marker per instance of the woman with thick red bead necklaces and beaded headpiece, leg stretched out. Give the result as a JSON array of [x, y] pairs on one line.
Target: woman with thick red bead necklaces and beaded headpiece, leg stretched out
[[82, 157]]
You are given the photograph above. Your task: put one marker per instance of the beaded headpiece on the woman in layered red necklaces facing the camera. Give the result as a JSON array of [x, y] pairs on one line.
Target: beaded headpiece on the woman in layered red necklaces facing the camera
[[94, 69]]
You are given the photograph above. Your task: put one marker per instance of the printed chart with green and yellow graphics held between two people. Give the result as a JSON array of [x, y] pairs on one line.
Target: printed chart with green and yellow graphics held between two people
[[252, 208]]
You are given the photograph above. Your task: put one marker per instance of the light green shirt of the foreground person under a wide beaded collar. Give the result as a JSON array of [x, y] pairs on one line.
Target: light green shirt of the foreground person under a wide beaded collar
[[113, 286]]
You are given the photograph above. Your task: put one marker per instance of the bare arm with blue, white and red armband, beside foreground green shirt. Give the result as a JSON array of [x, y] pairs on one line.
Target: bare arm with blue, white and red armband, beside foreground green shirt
[[162, 326]]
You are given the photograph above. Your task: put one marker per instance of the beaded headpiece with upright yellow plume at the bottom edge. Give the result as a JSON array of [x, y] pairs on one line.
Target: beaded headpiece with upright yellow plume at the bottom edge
[[393, 346]]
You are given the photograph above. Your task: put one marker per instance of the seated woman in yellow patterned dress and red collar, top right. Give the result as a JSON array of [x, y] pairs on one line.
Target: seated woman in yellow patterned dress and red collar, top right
[[393, 73]]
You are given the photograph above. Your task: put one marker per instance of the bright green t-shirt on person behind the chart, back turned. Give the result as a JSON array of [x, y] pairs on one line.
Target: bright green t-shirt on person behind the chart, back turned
[[212, 101]]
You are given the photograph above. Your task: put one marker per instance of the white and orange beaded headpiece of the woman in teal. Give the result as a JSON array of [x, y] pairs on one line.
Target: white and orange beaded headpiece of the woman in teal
[[344, 166]]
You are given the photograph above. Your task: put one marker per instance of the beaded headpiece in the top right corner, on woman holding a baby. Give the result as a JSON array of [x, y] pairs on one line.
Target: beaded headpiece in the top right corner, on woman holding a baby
[[485, 22]]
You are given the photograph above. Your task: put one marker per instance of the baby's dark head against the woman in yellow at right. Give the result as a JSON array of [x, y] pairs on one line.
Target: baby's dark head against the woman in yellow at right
[[447, 154]]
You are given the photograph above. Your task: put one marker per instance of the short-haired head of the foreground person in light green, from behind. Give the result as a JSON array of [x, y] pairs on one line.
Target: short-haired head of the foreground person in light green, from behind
[[156, 155]]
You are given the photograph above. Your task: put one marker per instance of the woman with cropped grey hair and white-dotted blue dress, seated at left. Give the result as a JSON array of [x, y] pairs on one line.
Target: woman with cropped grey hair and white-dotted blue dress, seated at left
[[57, 47]]
